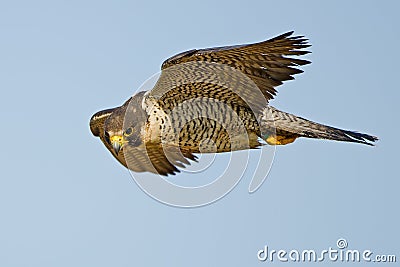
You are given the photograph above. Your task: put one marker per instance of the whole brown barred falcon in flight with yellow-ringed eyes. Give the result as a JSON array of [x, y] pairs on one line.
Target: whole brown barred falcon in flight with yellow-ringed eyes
[[209, 101]]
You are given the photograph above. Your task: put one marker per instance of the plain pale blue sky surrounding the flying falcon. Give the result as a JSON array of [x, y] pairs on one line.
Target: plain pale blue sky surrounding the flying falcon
[[64, 201]]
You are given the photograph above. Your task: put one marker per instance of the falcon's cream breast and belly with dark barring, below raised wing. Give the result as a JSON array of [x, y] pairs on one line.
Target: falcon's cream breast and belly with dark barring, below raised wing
[[204, 125]]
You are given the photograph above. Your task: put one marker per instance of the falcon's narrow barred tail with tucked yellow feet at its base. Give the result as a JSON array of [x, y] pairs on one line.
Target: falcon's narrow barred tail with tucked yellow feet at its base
[[283, 128]]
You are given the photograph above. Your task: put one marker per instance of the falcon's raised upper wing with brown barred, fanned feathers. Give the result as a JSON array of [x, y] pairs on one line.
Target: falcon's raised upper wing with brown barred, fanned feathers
[[231, 73]]
